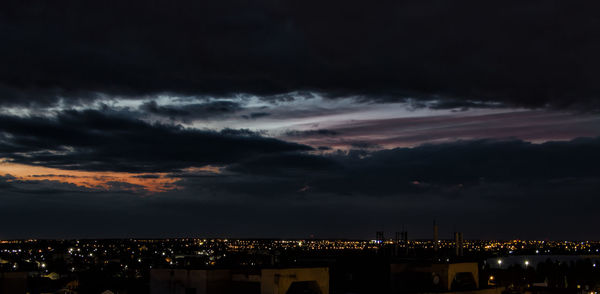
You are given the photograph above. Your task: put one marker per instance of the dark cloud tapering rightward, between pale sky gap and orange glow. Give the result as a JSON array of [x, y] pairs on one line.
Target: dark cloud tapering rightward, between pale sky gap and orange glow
[[92, 140]]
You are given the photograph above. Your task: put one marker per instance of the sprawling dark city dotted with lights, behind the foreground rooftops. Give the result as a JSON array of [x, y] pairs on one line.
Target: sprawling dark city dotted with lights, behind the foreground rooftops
[[126, 265]]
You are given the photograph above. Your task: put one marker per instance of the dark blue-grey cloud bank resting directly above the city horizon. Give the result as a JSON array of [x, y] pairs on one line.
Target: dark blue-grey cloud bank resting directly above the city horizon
[[487, 189]]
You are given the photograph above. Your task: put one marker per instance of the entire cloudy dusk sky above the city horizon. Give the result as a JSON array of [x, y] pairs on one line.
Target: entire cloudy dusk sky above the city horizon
[[299, 119]]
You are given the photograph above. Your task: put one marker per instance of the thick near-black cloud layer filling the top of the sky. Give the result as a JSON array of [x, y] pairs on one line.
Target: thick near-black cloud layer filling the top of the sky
[[526, 53]]
